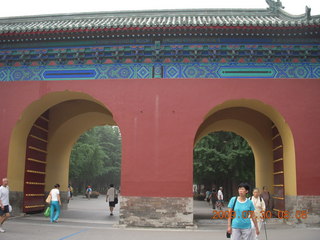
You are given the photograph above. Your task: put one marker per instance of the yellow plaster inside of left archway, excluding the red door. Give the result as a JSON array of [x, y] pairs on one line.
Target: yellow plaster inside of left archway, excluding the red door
[[71, 114]]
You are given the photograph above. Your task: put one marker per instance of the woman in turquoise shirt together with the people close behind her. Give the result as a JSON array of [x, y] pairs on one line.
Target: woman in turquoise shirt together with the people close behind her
[[246, 215]]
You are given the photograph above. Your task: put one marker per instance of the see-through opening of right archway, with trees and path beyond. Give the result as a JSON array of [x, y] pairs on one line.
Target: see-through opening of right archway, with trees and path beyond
[[221, 159]]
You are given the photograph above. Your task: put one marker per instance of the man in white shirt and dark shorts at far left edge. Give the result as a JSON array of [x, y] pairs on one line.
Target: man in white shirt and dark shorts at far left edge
[[4, 203]]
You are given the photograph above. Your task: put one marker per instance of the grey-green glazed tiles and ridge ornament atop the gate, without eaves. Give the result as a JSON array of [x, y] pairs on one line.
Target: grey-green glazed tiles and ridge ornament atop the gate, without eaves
[[273, 16]]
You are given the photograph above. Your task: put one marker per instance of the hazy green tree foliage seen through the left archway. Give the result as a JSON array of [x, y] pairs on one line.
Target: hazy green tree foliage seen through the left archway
[[96, 159]]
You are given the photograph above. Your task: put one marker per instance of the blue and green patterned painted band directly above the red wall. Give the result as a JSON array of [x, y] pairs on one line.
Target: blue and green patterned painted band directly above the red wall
[[164, 70]]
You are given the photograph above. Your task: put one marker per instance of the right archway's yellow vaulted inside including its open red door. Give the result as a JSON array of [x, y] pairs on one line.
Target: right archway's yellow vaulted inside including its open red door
[[268, 135]]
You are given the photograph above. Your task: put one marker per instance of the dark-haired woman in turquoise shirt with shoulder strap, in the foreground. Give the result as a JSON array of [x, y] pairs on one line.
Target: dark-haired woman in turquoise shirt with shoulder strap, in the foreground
[[241, 209]]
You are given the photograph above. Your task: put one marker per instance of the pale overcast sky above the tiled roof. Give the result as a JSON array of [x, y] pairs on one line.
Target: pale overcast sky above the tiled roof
[[9, 8]]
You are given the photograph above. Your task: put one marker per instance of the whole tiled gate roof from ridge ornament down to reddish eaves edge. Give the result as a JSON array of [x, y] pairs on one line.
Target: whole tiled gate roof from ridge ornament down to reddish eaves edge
[[270, 19]]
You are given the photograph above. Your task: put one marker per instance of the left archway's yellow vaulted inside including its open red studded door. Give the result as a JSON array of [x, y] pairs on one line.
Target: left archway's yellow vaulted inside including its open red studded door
[[41, 144]]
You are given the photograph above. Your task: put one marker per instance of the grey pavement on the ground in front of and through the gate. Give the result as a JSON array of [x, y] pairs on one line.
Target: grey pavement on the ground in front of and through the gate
[[89, 219]]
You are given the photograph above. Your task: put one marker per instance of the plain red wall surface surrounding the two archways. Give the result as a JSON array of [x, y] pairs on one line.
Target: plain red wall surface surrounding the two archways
[[158, 119]]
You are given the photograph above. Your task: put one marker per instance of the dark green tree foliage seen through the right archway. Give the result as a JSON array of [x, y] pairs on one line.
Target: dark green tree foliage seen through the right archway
[[223, 157]]
